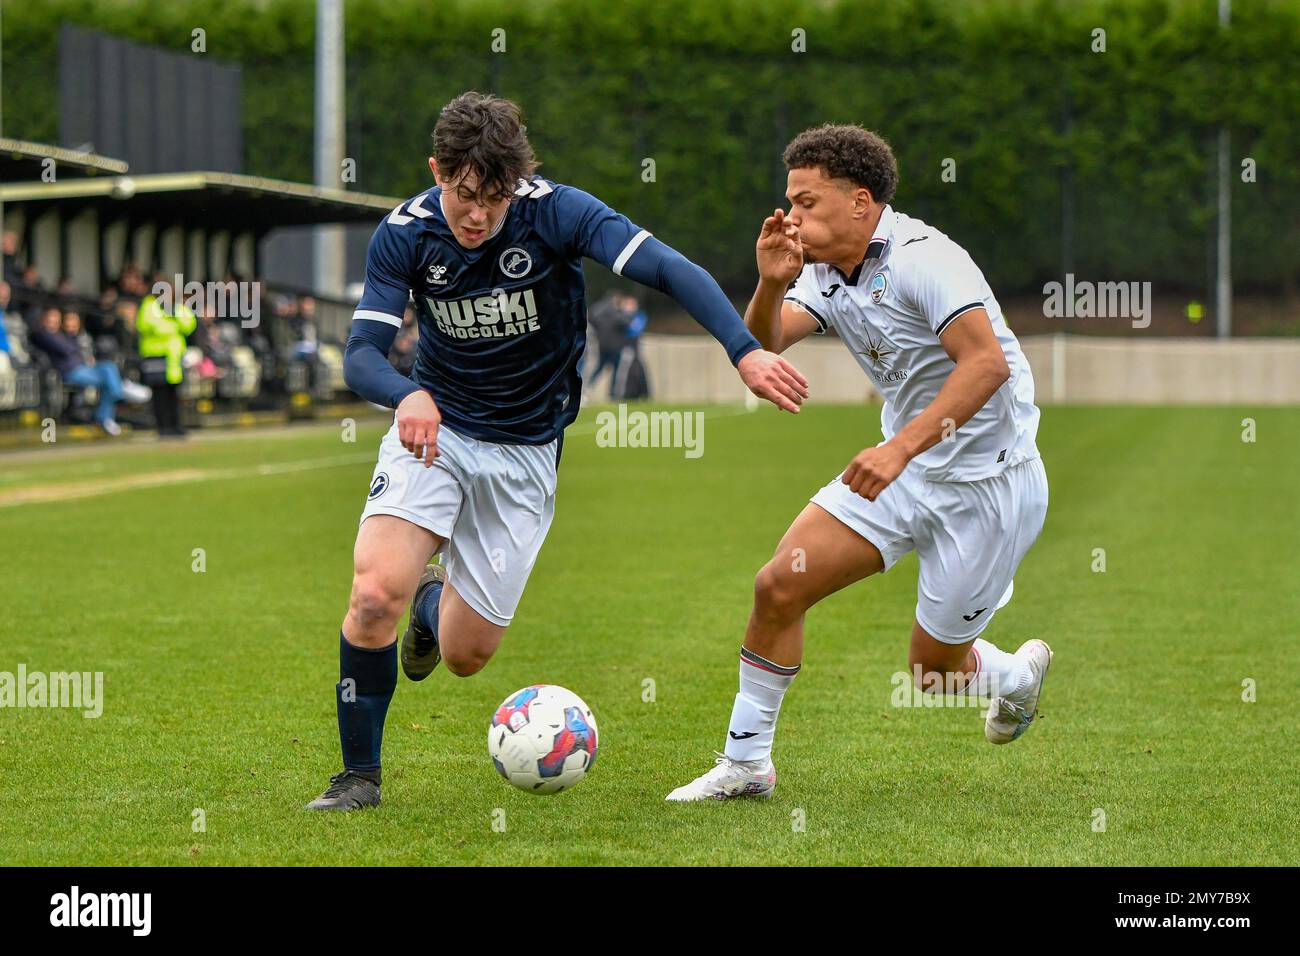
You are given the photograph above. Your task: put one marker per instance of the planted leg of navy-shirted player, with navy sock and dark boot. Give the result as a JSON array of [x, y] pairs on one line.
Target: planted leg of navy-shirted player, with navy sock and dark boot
[[389, 559]]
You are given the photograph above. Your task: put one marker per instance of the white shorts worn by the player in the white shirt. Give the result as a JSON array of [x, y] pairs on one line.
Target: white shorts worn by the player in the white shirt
[[969, 537]]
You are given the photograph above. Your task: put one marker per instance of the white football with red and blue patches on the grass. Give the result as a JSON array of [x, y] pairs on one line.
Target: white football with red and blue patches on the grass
[[543, 739]]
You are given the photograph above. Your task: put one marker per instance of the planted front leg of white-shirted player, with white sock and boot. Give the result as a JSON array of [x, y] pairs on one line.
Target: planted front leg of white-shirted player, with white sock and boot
[[817, 557]]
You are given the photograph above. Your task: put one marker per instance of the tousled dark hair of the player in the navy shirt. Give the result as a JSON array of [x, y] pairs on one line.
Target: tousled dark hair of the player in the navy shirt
[[487, 135]]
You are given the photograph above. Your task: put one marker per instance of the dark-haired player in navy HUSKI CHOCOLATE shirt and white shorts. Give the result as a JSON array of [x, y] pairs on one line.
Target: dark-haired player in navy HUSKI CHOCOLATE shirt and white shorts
[[492, 258]]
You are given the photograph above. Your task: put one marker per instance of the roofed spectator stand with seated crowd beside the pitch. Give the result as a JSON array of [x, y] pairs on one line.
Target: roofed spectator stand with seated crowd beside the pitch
[[99, 244]]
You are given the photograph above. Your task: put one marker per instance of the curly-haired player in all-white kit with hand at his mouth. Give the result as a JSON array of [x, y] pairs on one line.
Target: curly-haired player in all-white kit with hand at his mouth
[[959, 478]]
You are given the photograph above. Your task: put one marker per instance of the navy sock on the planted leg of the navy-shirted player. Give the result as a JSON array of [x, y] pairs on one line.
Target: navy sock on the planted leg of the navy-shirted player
[[366, 682]]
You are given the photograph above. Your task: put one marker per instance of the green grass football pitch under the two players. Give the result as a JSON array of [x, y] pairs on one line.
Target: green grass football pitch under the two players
[[219, 685]]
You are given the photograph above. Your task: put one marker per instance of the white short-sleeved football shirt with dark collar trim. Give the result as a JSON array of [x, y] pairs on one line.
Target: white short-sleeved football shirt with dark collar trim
[[891, 312]]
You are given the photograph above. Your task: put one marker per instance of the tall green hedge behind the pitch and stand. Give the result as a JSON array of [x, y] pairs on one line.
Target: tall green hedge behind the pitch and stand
[[1009, 90]]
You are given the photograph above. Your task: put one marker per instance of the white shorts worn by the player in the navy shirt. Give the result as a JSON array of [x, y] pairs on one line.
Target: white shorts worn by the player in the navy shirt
[[492, 504]]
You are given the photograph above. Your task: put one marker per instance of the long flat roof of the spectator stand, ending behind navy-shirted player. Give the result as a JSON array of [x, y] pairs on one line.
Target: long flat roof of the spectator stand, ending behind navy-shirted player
[[222, 201]]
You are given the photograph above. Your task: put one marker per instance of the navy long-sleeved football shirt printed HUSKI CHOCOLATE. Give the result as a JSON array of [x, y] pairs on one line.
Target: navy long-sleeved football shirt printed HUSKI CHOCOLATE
[[504, 327]]
